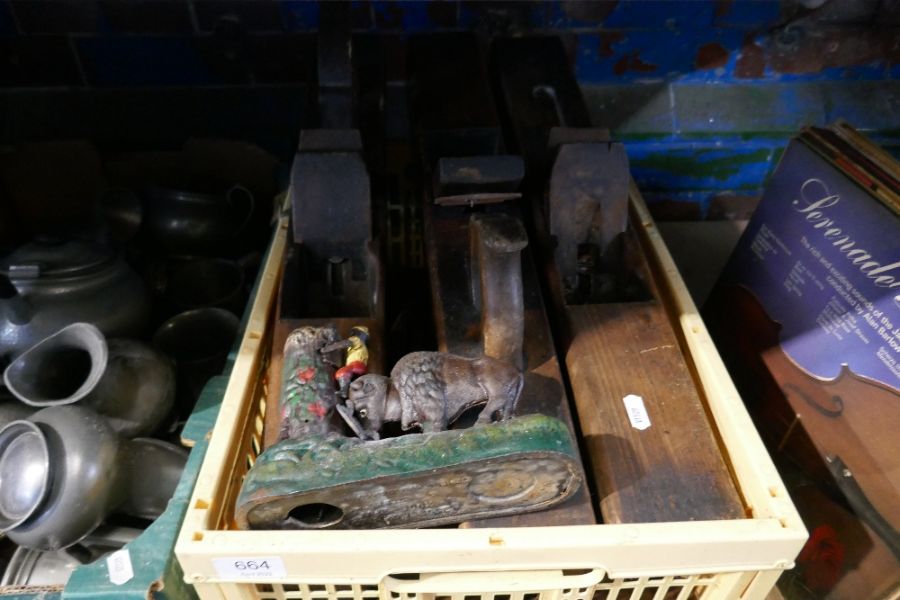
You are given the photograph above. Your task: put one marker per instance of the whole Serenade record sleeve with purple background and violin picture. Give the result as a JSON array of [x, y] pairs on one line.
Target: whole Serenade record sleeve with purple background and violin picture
[[807, 316]]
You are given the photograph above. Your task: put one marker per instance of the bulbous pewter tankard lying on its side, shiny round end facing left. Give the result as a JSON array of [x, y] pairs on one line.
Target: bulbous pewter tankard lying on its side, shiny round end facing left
[[64, 470]]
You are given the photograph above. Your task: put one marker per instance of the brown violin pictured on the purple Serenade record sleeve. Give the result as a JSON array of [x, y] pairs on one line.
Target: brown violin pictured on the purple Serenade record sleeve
[[842, 432]]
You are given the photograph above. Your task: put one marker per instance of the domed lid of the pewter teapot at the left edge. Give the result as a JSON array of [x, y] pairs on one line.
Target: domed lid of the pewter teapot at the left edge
[[51, 258]]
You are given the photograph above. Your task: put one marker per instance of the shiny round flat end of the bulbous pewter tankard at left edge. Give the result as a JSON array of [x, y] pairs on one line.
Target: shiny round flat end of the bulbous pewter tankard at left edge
[[24, 472]]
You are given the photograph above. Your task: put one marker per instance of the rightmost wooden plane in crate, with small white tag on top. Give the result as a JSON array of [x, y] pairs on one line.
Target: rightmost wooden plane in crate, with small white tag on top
[[654, 454]]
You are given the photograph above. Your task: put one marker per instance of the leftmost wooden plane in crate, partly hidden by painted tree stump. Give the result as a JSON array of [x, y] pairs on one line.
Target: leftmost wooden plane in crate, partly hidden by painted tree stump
[[335, 274]]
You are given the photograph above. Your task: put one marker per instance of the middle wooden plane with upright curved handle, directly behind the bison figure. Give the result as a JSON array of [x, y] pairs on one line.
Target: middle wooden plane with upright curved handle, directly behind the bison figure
[[485, 289]]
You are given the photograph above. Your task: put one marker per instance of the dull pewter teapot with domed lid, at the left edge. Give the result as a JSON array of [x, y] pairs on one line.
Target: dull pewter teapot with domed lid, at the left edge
[[46, 285]]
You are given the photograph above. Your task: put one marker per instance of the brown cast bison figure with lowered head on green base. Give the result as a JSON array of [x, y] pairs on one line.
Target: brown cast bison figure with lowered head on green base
[[432, 389]]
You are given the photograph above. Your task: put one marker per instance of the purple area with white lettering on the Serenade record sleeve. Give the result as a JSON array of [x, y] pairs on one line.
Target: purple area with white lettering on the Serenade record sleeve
[[823, 259]]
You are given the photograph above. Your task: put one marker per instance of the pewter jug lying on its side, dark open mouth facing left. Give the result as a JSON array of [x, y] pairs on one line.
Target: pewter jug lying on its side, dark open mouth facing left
[[127, 381]]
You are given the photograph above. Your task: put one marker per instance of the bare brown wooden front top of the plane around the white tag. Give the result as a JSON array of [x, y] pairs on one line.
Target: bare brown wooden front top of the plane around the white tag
[[670, 471]]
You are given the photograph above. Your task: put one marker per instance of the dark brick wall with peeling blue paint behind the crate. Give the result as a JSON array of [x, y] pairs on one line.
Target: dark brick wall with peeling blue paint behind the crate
[[704, 93]]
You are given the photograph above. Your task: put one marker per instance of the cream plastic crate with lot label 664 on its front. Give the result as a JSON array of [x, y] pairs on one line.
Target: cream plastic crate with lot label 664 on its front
[[728, 559]]
